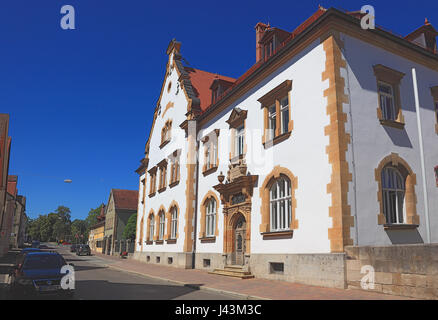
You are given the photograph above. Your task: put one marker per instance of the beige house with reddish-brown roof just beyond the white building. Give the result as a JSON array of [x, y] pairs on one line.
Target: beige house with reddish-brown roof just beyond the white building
[[121, 205]]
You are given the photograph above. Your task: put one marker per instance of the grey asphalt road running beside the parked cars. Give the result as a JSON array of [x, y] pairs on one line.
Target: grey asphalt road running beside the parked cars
[[95, 280]]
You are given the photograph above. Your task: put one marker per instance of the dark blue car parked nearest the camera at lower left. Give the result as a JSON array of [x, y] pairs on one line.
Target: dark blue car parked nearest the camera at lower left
[[38, 273]]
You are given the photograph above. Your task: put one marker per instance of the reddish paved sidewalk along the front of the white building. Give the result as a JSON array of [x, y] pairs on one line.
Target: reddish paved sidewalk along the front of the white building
[[246, 289]]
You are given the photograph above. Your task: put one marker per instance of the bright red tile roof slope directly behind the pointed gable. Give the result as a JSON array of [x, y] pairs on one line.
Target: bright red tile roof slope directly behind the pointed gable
[[201, 82]]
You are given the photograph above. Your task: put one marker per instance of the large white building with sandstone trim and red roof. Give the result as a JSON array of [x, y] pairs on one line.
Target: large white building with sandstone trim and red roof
[[306, 168]]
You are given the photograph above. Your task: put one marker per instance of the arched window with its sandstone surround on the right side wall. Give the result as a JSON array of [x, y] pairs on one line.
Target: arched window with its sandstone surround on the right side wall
[[396, 194]]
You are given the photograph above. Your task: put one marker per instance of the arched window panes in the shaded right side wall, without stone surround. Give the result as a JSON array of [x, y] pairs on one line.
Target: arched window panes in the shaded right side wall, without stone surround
[[393, 195]]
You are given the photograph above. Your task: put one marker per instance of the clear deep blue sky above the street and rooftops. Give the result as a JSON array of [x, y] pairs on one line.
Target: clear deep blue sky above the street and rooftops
[[81, 101]]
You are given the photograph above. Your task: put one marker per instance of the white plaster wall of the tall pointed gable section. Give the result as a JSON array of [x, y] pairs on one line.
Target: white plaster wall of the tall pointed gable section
[[178, 141]]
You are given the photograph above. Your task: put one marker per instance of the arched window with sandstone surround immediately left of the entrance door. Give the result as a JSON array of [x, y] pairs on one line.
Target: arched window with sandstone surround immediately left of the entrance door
[[209, 218]]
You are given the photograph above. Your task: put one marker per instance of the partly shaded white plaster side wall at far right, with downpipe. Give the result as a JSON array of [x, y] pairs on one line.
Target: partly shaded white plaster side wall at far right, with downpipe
[[373, 142]]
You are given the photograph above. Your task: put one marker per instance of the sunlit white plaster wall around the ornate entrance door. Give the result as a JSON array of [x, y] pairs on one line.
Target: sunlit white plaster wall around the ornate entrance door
[[303, 154]]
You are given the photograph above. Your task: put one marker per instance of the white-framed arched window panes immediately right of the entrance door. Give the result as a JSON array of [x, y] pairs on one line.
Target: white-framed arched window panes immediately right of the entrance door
[[281, 204]]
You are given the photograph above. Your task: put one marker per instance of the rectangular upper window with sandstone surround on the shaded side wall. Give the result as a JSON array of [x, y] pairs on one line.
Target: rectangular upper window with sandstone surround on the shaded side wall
[[389, 110]]
